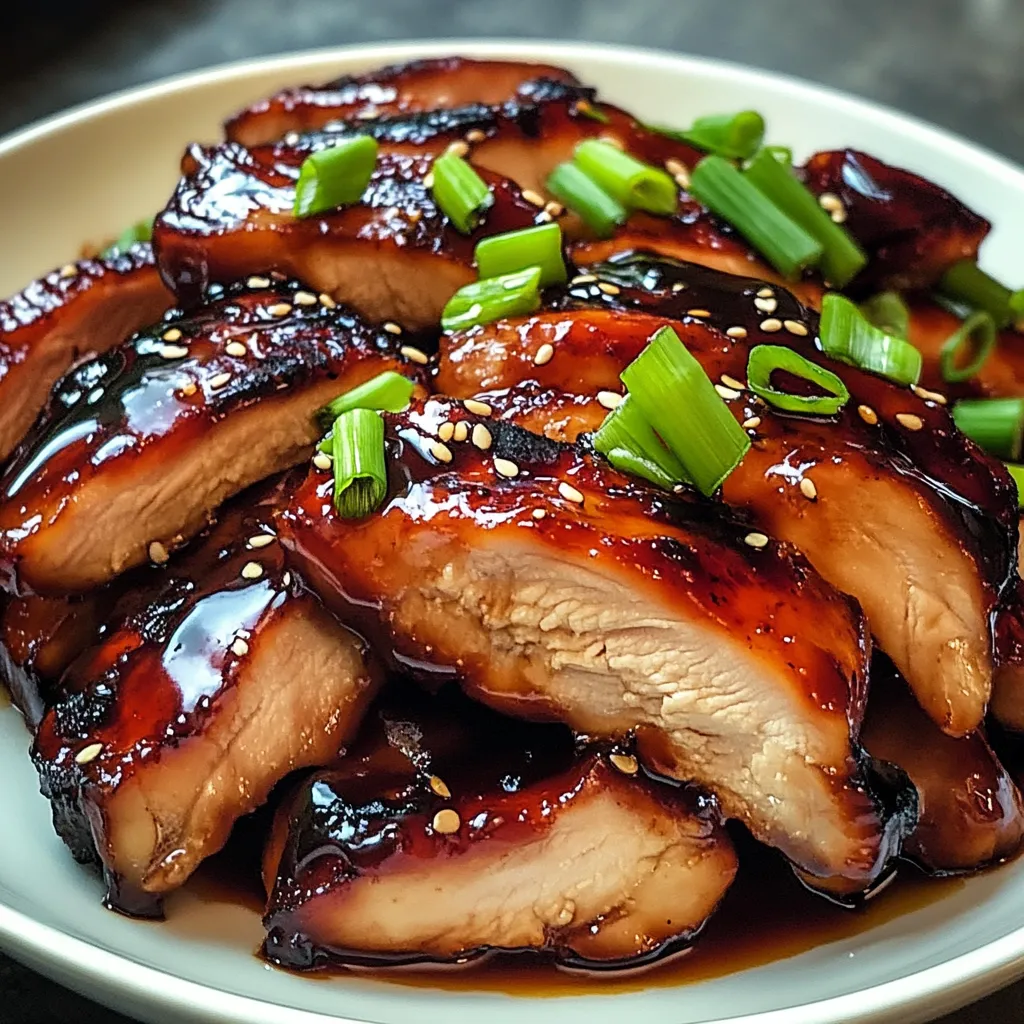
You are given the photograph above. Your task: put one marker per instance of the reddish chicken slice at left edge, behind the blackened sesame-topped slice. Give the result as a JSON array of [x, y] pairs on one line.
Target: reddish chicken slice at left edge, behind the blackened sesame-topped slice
[[84, 308]]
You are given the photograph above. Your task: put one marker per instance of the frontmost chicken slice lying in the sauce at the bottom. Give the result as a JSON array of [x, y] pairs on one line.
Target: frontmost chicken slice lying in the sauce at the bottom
[[459, 832]]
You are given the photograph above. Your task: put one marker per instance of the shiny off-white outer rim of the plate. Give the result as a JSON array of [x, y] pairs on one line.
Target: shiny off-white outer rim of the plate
[[940, 989]]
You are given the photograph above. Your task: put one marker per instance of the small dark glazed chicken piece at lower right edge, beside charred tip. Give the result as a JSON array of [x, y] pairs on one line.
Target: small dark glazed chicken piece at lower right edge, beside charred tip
[[971, 812]]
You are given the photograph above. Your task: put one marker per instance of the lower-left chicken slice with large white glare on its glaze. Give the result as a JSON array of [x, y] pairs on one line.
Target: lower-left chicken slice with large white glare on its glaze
[[182, 721]]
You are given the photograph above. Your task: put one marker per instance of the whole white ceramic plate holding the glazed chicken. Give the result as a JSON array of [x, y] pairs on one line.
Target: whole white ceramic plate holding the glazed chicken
[[84, 176]]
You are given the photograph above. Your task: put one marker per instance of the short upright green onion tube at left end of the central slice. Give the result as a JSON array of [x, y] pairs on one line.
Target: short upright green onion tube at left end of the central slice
[[360, 472]]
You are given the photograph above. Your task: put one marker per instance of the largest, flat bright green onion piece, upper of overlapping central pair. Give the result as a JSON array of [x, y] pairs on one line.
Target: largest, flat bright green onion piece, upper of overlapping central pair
[[674, 395]]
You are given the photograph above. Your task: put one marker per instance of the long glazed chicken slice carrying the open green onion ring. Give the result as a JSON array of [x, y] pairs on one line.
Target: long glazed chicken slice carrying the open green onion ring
[[917, 524]]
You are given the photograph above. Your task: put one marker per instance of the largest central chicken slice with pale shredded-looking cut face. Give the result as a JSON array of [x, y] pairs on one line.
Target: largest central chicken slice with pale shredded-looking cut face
[[554, 587]]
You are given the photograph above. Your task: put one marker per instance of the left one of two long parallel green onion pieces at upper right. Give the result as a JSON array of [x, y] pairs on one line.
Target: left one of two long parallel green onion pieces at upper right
[[780, 239]]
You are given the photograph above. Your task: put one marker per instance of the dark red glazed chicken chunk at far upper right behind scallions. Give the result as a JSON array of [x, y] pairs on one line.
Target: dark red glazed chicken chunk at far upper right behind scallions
[[912, 230]]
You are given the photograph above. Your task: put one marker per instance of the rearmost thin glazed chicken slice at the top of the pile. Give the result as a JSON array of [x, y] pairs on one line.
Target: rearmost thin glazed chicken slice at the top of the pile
[[436, 83]]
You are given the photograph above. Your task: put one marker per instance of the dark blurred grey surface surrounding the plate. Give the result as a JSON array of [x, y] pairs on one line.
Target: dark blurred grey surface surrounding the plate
[[957, 63]]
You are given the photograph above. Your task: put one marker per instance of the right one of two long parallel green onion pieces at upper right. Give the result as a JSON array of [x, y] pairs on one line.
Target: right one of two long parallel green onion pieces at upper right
[[842, 259]]
